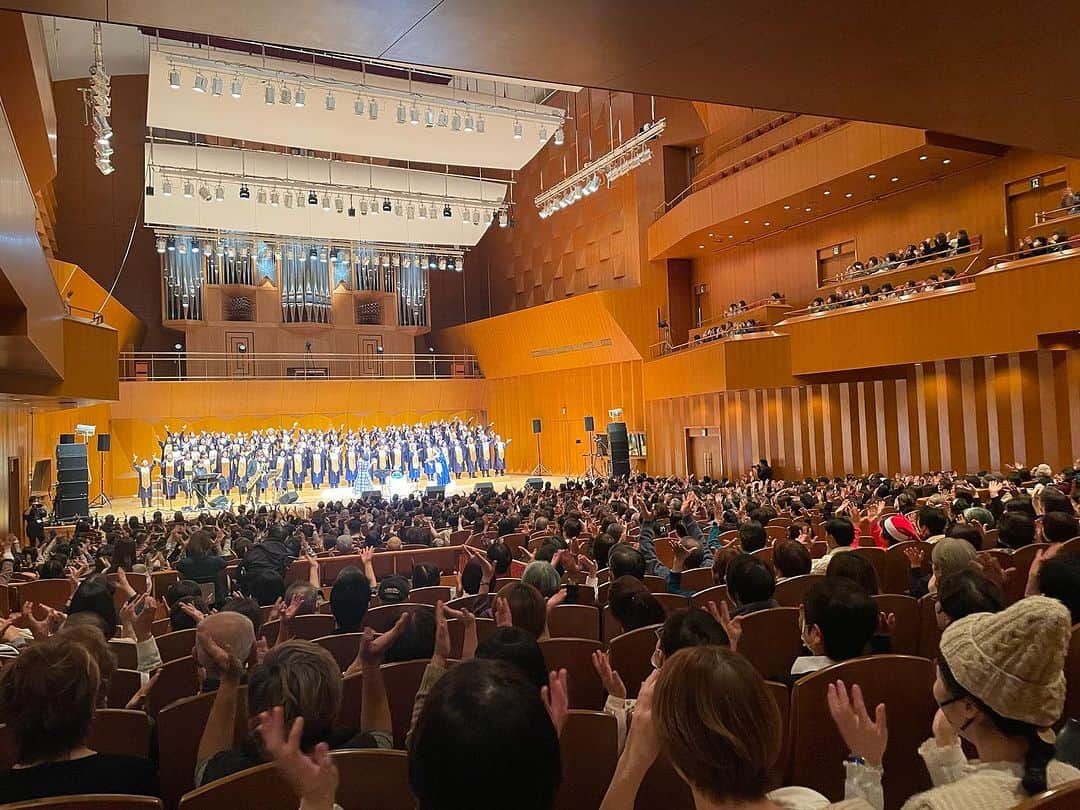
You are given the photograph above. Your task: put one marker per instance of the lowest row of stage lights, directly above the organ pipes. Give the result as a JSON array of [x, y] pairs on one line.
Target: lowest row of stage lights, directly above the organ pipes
[[363, 254]]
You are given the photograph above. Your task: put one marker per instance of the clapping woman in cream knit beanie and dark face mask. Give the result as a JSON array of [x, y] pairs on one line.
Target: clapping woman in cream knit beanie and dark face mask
[[1002, 687]]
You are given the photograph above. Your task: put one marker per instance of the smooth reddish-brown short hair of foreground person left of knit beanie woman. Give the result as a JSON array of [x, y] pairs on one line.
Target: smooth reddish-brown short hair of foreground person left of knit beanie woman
[[718, 723]]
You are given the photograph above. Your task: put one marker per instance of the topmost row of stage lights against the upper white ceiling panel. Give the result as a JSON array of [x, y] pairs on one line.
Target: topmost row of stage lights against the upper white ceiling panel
[[293, 90]]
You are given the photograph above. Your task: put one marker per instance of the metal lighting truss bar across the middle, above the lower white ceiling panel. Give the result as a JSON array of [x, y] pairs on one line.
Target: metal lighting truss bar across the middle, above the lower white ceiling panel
[[266, 186]]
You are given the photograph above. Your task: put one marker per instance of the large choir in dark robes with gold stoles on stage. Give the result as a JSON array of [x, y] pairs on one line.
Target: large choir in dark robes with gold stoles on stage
[[277, 461]]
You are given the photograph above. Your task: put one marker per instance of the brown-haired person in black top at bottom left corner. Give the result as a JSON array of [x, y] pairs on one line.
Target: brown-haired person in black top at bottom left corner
[[48, 697]]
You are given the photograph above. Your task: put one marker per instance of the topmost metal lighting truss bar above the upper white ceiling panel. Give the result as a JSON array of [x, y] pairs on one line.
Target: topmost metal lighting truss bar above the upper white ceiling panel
[[536, 114]]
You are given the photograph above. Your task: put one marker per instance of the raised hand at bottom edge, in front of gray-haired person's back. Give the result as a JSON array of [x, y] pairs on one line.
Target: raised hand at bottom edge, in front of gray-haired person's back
[[315, 779]]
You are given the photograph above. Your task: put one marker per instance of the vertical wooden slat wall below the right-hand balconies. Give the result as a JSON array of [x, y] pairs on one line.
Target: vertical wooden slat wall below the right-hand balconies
[[966, 415]]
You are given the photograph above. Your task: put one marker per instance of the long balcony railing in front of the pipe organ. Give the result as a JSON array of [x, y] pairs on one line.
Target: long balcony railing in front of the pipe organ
[[183, 366]]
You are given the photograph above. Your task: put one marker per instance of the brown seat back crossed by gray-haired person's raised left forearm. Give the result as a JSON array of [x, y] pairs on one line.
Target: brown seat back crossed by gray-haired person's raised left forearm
[[180, 728]]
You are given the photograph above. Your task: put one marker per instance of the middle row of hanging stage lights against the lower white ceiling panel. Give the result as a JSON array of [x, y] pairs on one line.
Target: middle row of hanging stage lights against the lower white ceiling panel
[[352, 200]]
